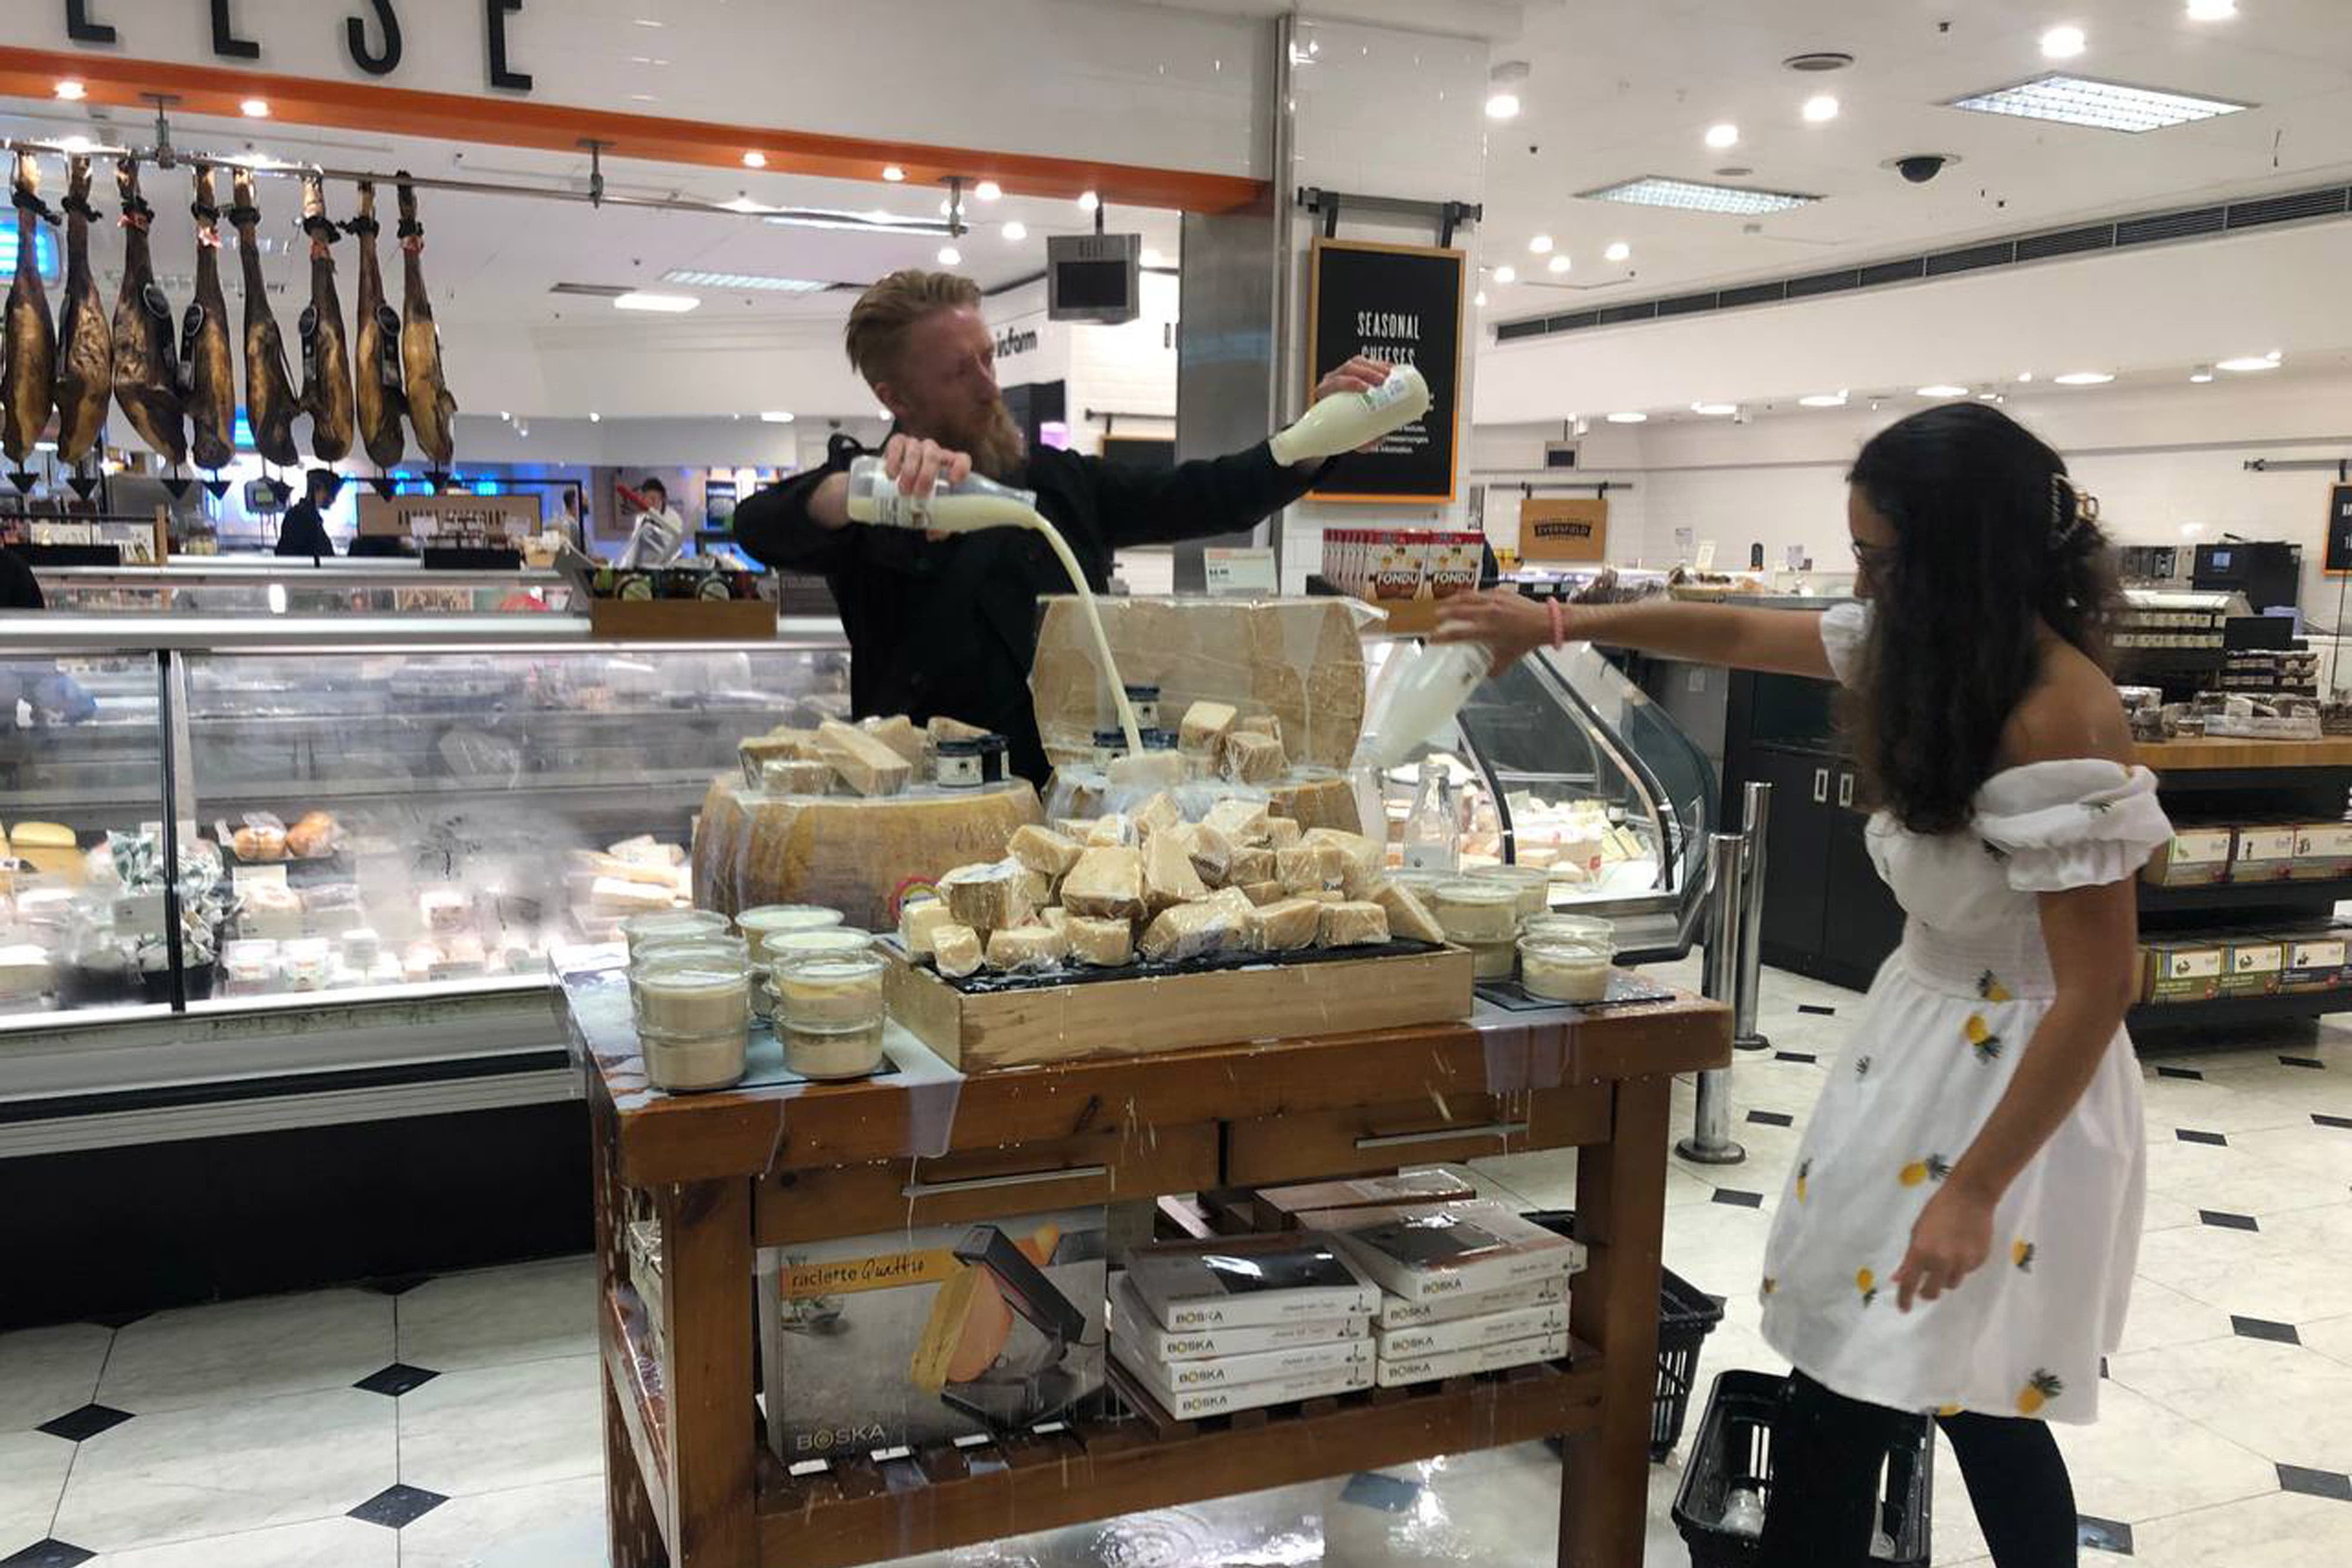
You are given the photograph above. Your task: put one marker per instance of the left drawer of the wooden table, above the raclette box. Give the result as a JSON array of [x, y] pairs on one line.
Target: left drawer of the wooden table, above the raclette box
[[1097, 1167]]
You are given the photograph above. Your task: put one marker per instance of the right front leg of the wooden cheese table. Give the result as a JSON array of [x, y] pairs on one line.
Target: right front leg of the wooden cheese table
[[1615, 1308]]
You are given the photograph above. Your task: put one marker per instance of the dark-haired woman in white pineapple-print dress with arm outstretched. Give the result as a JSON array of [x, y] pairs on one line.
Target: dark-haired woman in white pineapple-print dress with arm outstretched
[[1958, 1235]]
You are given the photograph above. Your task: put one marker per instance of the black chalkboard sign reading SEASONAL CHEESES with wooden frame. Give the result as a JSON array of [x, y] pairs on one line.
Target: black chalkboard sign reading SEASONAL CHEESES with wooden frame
[[1398, 304]]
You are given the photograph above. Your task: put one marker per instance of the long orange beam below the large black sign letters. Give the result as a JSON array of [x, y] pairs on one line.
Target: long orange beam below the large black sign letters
[[559, 128]]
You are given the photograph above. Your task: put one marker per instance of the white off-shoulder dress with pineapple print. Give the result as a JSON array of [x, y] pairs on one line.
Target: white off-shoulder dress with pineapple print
[[1935, 1050]]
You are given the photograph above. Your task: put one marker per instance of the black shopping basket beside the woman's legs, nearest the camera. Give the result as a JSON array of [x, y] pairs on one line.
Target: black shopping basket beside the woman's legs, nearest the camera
[[1735, 1449]]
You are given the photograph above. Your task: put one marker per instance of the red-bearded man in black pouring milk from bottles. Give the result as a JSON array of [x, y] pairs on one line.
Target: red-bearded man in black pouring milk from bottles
[[949, 626]]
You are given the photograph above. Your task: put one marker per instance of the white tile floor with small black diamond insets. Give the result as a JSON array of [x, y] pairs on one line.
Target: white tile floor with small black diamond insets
[[455, 1423]]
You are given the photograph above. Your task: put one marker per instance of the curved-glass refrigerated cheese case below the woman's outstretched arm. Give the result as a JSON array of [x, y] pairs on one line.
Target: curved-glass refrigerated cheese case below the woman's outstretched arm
[[1565, 763]]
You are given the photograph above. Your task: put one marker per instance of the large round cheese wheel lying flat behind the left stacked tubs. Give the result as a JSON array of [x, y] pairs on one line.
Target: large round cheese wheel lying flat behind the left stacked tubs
[[843, 852]]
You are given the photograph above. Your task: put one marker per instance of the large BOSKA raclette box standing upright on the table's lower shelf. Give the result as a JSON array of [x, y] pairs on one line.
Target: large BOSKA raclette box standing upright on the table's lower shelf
[[928, 1334]]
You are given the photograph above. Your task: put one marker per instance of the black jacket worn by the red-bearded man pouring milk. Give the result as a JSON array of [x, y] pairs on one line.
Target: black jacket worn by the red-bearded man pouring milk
[[951, 626]]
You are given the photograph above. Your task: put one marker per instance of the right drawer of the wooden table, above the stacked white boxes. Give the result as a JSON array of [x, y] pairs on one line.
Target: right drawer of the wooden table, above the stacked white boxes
[[1368, 1139]]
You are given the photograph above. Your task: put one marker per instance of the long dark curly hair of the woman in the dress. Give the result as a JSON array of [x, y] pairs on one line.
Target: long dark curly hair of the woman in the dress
[[1991, 544]]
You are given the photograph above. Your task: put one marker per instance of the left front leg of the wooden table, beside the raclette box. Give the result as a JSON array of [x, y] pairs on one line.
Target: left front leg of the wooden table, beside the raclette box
[[707, 1259]]
